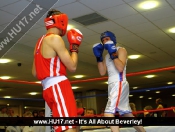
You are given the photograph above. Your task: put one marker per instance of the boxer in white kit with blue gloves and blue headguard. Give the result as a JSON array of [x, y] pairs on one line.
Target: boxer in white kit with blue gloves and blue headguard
[[118, 87]]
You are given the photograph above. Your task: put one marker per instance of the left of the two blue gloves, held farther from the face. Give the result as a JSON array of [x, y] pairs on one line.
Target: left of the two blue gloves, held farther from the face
[[98, 51]]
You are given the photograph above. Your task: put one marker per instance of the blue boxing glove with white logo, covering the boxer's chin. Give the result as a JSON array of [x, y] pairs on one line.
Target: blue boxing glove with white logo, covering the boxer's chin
[[112, 50]]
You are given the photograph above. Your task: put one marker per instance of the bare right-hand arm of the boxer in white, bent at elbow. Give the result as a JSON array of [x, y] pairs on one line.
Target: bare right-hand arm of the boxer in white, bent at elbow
[[120, 62]]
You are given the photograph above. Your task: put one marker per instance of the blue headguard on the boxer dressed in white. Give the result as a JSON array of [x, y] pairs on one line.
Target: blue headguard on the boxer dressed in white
[[108, 34]]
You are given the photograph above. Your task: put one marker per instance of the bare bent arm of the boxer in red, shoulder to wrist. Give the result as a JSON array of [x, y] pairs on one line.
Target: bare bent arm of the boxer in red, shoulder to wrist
[[70, 61]]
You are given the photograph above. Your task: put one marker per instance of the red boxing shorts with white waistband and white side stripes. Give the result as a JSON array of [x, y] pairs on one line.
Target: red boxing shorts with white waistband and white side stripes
[[58, 94]]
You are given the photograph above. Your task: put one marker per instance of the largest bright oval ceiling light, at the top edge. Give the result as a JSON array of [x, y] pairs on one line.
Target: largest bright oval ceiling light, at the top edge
[[148, 4]]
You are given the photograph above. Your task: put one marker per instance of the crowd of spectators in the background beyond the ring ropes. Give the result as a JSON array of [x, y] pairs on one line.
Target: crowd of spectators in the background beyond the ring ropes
[[84, 112]]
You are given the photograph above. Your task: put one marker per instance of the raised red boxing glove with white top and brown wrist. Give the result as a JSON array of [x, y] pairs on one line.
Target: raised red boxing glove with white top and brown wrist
[[74, 37]]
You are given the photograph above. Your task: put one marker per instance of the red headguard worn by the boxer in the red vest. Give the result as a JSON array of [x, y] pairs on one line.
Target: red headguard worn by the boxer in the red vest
[[60, 21]]
